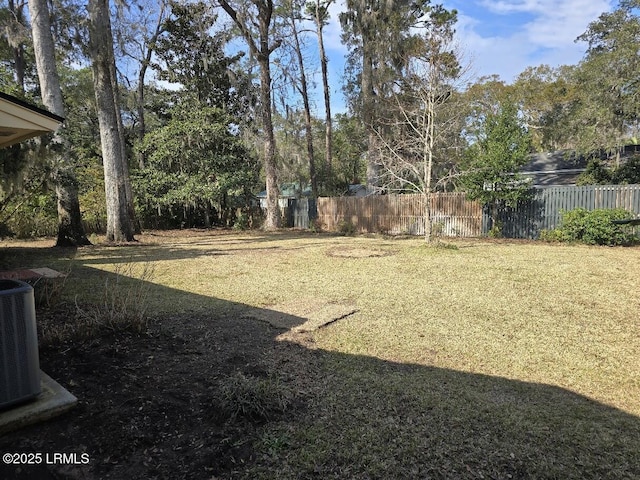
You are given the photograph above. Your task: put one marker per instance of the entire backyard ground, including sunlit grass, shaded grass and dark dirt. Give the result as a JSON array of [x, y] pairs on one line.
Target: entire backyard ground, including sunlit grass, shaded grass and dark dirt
[[296, 355]]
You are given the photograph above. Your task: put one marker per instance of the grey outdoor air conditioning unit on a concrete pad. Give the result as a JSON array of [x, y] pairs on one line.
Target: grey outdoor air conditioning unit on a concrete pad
[[19, 362]]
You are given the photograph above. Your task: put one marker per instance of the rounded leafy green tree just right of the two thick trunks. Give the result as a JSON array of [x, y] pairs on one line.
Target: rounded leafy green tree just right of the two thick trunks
[[195, 161]]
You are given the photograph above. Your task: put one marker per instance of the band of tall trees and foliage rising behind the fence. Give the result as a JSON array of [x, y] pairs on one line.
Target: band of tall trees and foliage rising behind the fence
[[185, 75]]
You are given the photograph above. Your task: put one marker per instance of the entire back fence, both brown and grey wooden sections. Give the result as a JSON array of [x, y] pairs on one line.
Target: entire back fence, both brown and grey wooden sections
[[452, 214]]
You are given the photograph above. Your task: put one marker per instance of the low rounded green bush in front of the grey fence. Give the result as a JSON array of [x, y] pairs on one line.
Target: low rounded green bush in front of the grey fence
[[593, 227]]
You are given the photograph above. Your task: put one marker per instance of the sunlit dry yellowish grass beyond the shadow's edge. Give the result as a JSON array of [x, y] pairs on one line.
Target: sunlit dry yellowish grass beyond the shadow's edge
[[560, 315]]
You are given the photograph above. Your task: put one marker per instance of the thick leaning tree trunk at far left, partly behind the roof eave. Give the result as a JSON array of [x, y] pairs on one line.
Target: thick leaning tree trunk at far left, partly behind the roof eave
[[70, 229]]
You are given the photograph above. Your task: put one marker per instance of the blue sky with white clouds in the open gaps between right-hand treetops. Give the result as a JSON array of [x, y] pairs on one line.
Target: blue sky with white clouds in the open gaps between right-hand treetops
[[501, 37]]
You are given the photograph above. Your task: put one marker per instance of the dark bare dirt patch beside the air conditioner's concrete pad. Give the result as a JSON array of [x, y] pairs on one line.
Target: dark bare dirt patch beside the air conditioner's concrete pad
[[167, 403]]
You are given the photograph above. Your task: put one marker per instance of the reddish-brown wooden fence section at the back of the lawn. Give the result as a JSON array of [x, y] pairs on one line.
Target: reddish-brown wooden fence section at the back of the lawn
[[452, 214]]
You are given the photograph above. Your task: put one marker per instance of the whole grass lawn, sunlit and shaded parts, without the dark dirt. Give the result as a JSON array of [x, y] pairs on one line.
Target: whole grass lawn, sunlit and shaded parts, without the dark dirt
[[491, 359]]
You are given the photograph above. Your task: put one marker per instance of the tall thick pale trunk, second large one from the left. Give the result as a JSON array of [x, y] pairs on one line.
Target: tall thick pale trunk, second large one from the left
[[116, 172]]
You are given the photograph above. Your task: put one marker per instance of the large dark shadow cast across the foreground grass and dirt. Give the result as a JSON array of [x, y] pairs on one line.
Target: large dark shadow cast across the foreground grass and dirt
[[213, 392]]
